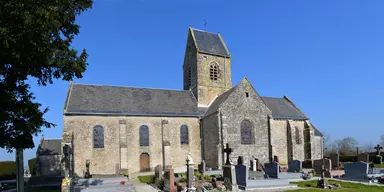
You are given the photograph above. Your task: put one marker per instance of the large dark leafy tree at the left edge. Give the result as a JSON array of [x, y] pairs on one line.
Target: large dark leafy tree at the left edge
[[35, 42]]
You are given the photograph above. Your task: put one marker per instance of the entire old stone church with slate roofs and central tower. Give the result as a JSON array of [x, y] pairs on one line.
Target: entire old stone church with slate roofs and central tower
[[115, 128]]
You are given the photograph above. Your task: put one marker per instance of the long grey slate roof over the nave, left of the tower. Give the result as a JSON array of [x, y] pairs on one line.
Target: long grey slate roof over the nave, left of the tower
[[115, 100]]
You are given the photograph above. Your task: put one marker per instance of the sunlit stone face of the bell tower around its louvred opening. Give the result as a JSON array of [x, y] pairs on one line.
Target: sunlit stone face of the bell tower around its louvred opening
[[208, 89]]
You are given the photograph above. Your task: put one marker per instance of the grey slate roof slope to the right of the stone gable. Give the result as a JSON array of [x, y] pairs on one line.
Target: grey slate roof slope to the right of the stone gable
[[282, 108]]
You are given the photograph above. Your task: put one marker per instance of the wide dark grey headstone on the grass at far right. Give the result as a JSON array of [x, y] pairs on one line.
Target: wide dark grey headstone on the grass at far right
[[356, 170]]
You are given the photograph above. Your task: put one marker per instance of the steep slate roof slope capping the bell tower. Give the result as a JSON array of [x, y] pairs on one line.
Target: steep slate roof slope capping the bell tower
[[210, 43]]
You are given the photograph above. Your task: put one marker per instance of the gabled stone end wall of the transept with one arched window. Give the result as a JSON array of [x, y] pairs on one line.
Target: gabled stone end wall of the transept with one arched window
[[244, 103]]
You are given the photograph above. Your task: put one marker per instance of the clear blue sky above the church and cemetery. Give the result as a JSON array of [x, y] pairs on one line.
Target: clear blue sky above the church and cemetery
[[326, 55]]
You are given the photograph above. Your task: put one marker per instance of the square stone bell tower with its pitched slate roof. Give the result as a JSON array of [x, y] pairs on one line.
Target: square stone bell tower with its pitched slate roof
[[207, 66]]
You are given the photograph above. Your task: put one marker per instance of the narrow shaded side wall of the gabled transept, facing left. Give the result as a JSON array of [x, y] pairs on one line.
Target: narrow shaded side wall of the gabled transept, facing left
[[211, 144]]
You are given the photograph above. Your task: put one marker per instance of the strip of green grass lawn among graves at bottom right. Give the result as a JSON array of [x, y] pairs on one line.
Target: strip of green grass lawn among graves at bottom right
[[345, 186]]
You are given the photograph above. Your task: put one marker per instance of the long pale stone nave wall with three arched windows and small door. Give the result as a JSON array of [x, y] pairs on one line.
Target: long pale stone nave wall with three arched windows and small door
[[106, 160]]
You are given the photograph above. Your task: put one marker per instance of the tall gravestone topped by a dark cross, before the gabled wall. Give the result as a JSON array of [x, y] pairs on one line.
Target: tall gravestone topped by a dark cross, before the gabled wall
[[229, 172]]
